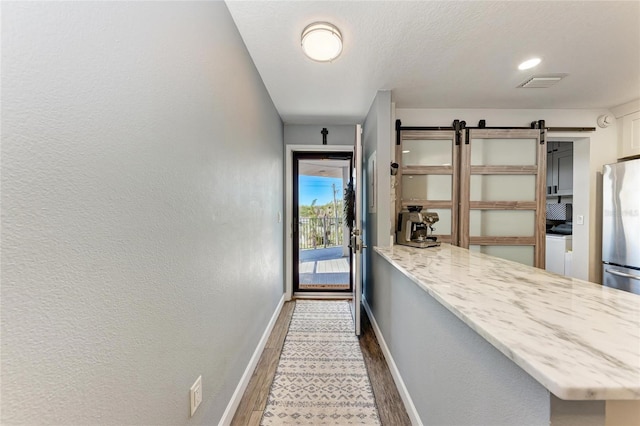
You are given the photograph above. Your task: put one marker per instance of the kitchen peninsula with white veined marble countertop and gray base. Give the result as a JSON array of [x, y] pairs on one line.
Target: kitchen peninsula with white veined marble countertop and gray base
[[480, 340]]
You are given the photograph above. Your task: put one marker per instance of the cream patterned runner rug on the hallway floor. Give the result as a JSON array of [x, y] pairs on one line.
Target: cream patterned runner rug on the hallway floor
[[321, 377]]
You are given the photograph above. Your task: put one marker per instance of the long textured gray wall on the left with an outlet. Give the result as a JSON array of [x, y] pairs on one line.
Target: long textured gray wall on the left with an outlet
[[141, 182]]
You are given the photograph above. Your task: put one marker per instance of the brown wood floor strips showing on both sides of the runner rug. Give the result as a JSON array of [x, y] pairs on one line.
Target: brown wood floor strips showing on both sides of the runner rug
[[390, 406]]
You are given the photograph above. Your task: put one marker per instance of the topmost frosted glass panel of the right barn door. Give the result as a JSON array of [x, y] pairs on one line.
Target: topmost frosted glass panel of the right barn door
[[503, 152]]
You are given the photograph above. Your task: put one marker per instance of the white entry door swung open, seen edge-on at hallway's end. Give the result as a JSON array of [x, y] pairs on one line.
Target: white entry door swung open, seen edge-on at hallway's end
[[356, 232]]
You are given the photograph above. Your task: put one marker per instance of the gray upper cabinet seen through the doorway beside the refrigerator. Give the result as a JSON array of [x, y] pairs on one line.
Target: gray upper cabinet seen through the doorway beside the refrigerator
[[559, 168]]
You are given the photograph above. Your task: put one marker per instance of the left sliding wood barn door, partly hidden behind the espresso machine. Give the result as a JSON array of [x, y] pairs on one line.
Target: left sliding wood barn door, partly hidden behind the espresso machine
[[428, 177]]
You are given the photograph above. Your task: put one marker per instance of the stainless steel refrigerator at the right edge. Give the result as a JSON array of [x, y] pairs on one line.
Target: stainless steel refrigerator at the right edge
[[621, 226]]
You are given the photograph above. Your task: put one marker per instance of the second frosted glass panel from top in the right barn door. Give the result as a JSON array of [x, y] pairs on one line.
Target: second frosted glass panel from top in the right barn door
[[503, 187]]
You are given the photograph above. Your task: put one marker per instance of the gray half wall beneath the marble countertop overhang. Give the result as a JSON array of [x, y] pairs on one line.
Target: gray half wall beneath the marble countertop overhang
[[454, 376]]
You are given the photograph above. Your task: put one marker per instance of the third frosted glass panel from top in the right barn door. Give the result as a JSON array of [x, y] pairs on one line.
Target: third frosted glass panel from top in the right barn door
[[502, 223]]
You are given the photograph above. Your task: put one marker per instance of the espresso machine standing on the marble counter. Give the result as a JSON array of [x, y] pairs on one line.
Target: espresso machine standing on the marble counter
[[415, 228]]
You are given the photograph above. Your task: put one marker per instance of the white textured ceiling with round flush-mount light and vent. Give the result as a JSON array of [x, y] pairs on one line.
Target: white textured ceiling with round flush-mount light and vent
[[443, 54]]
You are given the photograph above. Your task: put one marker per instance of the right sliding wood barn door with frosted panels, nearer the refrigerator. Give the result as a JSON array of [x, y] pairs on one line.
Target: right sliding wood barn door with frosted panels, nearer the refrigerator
[[502, 193]]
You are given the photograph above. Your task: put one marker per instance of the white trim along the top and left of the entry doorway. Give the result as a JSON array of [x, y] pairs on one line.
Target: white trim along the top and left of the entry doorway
[[288, 194]]
